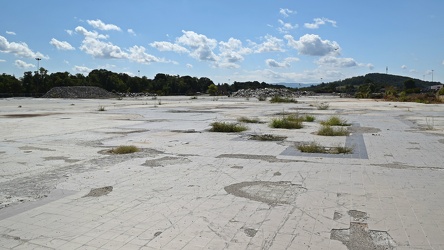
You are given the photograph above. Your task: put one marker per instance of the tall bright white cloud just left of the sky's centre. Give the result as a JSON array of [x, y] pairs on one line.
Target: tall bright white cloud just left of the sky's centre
[[201, 47]]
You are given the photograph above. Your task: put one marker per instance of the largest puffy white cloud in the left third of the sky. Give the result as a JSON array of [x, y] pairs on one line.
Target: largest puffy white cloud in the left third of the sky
[[100, 49]]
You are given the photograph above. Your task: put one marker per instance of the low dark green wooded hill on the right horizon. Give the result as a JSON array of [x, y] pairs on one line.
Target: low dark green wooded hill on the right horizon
[[378, 80]]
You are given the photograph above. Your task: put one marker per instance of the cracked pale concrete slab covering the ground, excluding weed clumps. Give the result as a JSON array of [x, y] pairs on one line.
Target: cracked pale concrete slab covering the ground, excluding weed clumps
[[189, 188]]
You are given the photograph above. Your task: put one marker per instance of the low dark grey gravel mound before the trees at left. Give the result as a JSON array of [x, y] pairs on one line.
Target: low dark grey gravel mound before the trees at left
[[86, 92]]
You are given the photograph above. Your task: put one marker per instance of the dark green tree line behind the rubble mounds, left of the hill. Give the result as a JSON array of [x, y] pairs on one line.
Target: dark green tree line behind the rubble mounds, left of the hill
[[39, 82]]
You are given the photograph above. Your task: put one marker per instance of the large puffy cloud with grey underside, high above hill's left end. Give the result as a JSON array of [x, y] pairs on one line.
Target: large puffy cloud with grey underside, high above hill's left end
[[313, 45]]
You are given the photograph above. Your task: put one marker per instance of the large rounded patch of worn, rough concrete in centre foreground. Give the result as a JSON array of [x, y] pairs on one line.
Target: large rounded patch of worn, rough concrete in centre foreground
[[272, 193]]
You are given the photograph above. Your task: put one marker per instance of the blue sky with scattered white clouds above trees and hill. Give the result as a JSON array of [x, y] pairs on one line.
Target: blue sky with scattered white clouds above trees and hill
[[231, 40]]
